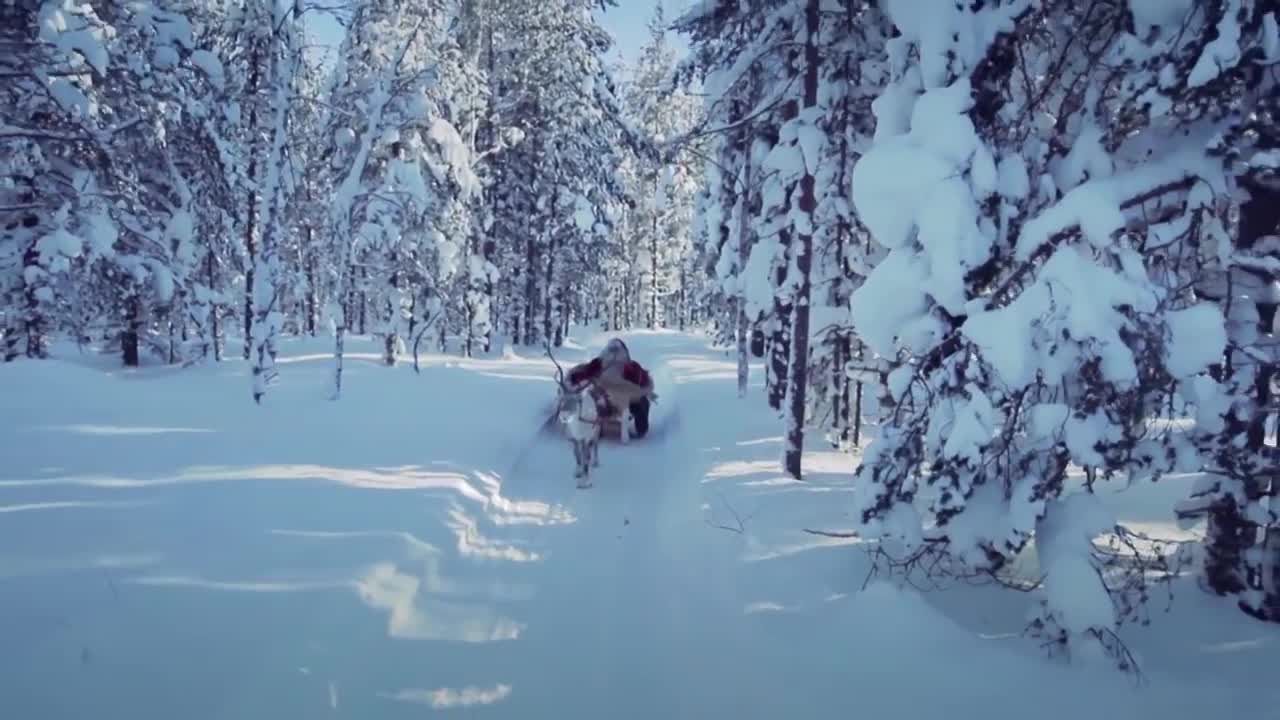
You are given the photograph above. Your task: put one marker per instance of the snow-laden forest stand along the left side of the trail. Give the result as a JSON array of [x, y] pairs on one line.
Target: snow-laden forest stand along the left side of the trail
[[179, 175]]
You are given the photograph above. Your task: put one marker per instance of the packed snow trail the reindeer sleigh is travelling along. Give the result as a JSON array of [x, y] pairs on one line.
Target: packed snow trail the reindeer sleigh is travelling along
[[643, 591]]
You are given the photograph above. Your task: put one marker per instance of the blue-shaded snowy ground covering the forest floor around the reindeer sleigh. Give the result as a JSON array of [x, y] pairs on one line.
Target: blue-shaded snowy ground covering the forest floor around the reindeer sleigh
[[168, 550]]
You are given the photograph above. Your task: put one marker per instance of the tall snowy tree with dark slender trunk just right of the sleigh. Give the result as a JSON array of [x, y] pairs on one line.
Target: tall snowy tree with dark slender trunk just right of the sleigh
[[779, 76]]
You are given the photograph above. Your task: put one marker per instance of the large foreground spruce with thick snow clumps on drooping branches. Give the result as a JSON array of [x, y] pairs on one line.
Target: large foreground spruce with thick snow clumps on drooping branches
[[1023, 299]]
